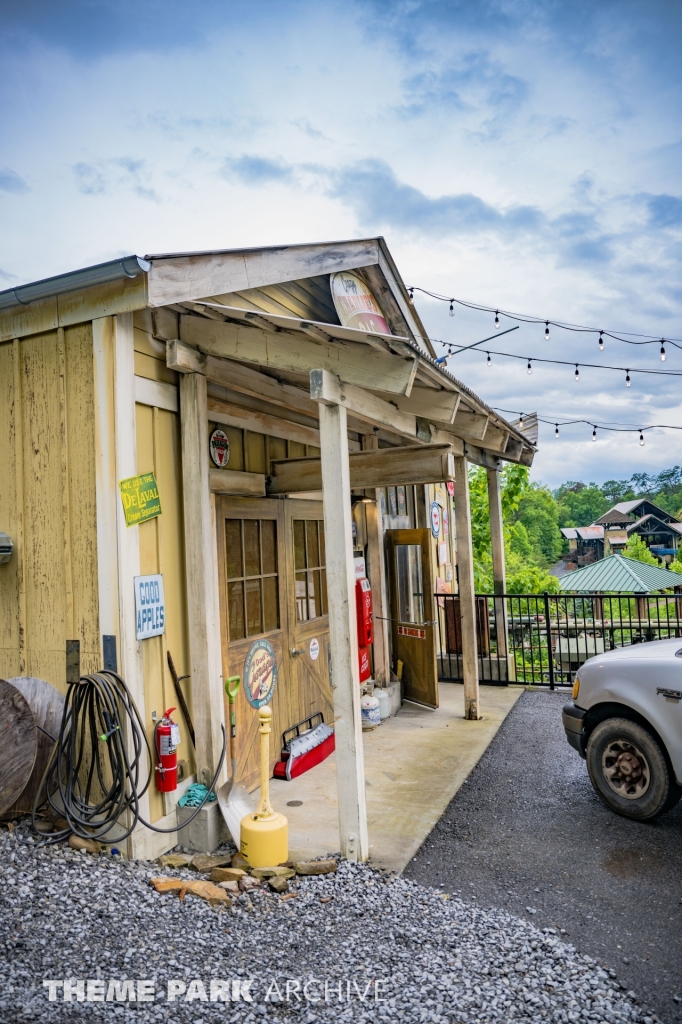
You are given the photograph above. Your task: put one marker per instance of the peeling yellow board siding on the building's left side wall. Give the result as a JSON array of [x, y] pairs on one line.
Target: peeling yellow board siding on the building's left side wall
[[49, 592]]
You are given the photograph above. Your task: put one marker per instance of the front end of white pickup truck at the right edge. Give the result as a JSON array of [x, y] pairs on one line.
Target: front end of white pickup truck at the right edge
[[626, 720]]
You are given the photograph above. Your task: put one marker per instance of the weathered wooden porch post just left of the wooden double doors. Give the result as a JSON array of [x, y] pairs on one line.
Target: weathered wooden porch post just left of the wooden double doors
[[201, 565]]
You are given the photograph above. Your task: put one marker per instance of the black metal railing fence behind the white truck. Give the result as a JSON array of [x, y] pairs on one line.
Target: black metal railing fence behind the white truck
[[543, 639]]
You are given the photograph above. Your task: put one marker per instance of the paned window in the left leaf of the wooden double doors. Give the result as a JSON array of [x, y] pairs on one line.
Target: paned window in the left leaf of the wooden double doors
[[253, 595]]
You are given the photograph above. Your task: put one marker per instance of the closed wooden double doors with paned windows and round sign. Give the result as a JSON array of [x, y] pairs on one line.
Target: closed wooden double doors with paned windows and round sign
[[273, 587]]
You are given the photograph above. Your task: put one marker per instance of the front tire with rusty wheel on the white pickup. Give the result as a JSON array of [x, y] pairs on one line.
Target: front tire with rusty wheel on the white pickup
[[630, 772]]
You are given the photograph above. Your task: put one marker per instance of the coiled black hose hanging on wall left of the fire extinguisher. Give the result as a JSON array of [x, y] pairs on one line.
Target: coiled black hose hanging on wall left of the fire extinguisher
[[97, 763]]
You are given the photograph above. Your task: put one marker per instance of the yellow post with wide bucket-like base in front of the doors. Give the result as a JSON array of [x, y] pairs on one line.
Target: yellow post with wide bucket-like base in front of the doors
[[265, 835]]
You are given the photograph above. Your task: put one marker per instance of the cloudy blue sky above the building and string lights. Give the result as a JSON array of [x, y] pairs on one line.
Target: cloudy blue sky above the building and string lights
[[526, 156]]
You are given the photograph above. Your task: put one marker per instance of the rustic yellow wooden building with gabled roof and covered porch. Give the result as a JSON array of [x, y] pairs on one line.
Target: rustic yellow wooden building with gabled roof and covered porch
[[241, 425]]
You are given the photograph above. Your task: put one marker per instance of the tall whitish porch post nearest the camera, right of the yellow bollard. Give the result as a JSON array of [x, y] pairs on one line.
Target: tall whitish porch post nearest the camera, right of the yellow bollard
[[344, 637]]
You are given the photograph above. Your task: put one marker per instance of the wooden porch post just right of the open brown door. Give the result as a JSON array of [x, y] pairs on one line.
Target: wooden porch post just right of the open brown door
[[467, 598]]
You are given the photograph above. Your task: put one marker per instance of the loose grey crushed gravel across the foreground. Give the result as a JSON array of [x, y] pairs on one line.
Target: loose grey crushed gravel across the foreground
[[68, 915]]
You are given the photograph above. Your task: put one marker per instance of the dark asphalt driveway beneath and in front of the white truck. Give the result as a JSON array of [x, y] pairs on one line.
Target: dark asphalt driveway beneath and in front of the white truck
[[528, 834]]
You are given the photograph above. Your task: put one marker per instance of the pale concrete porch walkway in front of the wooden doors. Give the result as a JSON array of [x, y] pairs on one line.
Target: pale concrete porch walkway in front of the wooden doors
[[414, 765]]
